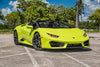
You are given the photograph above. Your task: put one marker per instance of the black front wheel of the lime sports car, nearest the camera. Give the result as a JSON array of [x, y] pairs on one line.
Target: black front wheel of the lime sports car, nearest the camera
[[37, 42]]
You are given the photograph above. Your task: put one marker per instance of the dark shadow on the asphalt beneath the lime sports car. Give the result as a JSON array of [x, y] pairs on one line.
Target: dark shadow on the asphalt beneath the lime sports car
[[61, 50]]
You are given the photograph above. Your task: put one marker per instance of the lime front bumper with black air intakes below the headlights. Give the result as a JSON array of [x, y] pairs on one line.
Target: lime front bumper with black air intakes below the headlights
[[54, 44]]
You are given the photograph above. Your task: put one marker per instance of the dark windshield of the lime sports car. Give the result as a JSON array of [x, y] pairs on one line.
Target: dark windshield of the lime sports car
[[51, 24]]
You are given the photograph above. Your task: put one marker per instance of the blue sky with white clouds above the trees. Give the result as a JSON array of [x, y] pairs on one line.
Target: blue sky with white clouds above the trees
[[7, 6]]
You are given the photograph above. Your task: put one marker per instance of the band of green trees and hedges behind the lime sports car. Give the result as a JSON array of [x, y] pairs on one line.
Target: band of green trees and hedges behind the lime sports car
[[29, 11]]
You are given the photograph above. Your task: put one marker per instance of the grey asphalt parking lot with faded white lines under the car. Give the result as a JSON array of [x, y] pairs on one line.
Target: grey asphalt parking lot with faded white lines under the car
[[25, 56]]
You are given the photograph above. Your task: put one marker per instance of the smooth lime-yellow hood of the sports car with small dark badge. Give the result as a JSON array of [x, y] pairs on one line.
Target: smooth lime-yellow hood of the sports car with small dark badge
[[65, 34]]
